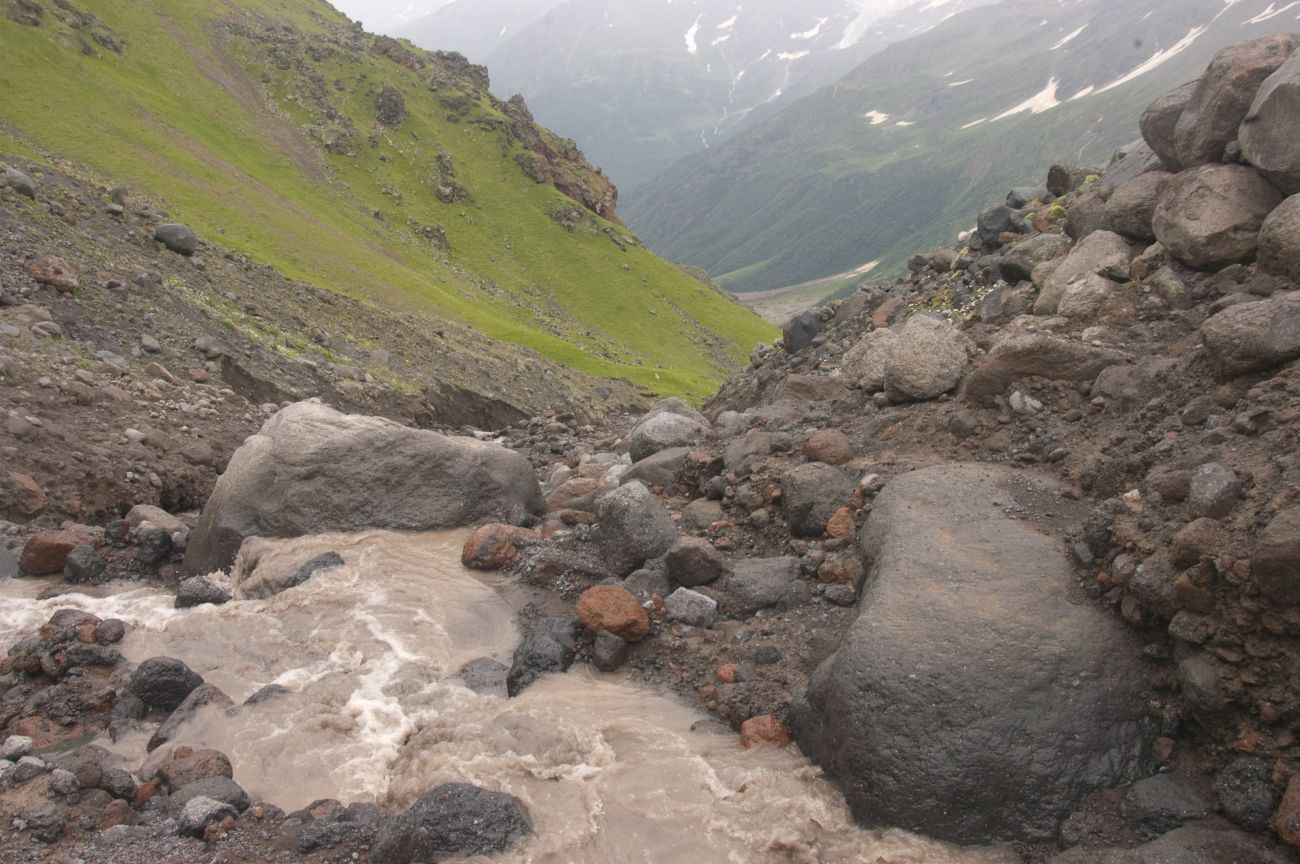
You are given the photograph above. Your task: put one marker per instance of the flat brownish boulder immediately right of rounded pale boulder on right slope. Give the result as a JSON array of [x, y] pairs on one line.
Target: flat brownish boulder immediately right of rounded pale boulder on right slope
[[1024, 354]]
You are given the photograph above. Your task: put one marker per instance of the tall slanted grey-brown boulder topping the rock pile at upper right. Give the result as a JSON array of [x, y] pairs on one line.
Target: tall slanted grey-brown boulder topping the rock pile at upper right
[[1224, 97]]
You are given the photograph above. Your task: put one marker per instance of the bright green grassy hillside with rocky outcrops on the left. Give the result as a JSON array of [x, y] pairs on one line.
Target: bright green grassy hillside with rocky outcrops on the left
[[363, 166]]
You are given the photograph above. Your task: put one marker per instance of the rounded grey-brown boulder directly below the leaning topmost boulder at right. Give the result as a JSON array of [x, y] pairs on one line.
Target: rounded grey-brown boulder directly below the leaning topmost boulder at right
[[1211, 216]]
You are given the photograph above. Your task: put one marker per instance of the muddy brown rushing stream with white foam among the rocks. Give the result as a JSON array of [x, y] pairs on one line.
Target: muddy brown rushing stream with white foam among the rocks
[[374, 710]]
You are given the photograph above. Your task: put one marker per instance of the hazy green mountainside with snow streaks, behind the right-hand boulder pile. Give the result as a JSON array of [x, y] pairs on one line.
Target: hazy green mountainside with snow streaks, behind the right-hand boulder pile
[[899, 154]]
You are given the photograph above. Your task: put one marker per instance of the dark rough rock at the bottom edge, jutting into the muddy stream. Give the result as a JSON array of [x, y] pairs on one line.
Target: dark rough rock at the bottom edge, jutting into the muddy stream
[[453, 820]]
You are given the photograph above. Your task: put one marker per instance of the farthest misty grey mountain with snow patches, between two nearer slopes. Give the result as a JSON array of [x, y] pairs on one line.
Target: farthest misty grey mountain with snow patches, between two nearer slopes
[[642, 84]]
